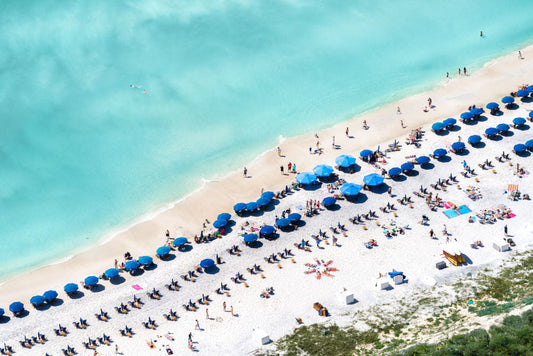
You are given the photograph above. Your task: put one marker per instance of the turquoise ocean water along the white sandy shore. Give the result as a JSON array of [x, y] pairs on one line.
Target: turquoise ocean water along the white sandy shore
[[82, 153]]
